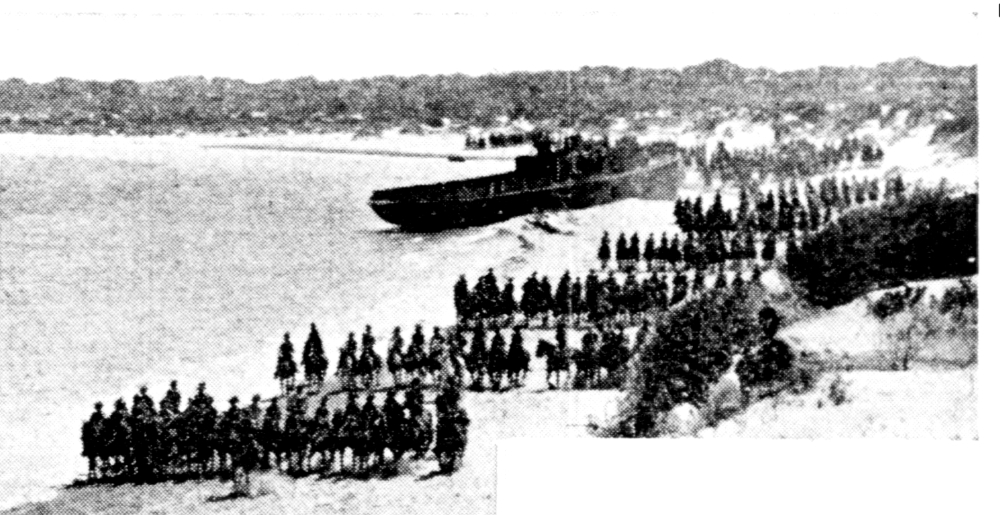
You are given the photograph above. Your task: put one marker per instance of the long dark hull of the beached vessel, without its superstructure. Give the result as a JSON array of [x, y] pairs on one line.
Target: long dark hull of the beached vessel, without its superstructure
[[657, 181]]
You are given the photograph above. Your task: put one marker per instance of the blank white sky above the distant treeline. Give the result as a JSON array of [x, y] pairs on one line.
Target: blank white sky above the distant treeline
[[106, 40]]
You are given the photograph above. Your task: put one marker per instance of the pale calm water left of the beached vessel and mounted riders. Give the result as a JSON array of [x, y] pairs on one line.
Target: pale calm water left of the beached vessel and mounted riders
[[129, 262]]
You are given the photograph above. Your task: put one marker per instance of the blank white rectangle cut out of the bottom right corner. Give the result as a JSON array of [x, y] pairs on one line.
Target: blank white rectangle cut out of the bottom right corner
[[772, 477]]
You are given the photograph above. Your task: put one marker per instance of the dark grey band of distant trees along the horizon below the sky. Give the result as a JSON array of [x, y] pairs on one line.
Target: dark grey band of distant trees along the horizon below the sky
[[590, 96]]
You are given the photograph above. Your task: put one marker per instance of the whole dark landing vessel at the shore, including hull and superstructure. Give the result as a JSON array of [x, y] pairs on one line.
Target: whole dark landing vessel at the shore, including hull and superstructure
[[579, 174]]
